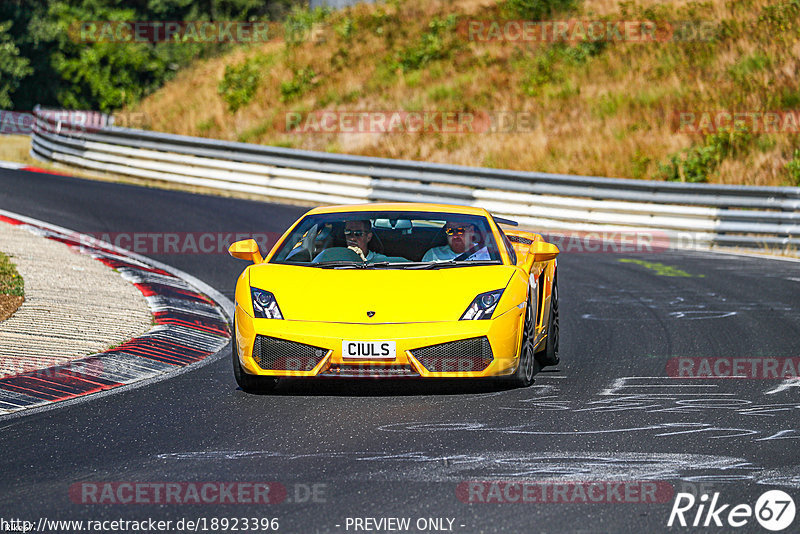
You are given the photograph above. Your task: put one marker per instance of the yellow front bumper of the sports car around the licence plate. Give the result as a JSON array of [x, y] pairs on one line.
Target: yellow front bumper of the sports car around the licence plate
[[319, 347]]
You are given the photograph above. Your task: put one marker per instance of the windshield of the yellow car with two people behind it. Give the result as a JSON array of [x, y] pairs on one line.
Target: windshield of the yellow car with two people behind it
[[390, 240]]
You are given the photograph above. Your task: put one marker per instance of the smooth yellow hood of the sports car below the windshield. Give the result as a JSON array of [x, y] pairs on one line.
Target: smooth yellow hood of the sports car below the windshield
[[396, 296]]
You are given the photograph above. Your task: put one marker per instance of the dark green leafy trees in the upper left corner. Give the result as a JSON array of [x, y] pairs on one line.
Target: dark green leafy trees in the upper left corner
[[41, 61]]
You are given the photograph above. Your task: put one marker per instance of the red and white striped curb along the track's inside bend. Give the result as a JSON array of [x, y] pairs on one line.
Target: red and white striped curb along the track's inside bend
[[191, 326]]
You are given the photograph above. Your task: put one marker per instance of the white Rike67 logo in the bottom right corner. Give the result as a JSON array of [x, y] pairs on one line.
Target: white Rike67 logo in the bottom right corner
[[774, 510]]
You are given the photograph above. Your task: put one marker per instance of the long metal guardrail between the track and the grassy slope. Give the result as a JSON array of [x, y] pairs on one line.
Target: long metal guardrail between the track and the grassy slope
[[709, 214]]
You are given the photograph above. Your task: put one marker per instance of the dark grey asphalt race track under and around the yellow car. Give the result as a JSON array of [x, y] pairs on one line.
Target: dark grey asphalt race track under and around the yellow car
[[609, 412]]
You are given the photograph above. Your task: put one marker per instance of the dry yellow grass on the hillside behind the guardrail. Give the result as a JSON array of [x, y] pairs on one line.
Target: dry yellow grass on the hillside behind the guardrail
[[611, 115]]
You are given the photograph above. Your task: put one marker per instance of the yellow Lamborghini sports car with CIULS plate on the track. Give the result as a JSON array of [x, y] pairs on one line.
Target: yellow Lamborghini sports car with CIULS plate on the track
[[396, 290]]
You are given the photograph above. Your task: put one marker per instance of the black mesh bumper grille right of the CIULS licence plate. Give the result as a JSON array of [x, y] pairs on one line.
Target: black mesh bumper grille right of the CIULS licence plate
[[466, 355]]
